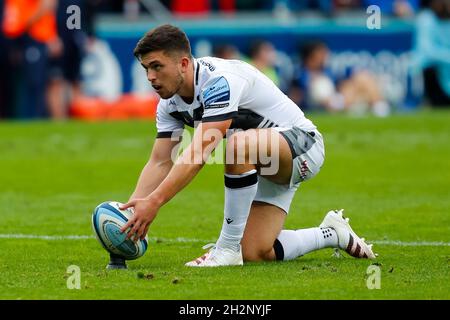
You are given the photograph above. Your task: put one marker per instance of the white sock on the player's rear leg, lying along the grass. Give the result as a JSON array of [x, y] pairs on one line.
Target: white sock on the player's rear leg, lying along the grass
[[291, 244]]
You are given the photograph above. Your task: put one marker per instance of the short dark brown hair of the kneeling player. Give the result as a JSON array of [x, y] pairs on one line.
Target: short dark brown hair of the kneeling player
[[166, 38]]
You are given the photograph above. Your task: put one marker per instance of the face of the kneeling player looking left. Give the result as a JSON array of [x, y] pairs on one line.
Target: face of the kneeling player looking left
[[164, 72]]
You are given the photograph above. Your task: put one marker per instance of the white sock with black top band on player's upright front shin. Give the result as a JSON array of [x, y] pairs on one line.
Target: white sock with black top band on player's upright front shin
[[240, 190]]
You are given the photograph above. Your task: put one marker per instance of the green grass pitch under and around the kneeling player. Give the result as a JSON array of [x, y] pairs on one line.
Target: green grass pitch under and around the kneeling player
[[392, 176]]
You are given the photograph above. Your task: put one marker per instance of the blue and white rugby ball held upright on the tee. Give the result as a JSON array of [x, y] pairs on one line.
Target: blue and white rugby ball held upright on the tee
[[107, 220]]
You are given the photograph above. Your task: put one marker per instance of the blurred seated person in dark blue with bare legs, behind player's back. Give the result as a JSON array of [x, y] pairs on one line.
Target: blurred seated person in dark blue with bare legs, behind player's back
[[314, 87]]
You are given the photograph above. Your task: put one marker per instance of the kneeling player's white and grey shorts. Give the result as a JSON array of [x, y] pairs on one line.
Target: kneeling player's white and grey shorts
[[308, 154]]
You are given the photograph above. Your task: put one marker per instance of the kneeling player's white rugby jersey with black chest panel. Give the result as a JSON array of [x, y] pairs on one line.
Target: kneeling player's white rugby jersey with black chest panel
[[230, 89]]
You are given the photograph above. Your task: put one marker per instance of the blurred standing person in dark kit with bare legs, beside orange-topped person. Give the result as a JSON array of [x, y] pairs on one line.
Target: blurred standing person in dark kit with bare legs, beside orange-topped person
[[64, 83]]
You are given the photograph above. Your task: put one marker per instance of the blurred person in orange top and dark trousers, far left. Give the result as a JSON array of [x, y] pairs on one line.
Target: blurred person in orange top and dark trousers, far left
[[30, 29]]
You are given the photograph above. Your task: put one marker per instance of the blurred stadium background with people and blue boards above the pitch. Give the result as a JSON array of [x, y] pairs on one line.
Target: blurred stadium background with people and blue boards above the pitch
[[65, 58]]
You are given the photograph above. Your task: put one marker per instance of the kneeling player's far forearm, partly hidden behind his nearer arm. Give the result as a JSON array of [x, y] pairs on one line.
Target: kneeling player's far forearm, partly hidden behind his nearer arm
[[151, 177]]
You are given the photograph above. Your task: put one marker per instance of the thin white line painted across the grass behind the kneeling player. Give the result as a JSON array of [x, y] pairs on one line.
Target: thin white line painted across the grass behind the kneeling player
[[193, 240]]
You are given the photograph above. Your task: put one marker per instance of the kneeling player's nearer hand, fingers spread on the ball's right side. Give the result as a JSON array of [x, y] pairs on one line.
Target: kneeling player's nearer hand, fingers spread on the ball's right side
[[144, 213]]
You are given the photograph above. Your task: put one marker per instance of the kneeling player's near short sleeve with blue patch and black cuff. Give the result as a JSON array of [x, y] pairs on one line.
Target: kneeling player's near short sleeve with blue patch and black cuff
[[221, 97]]
